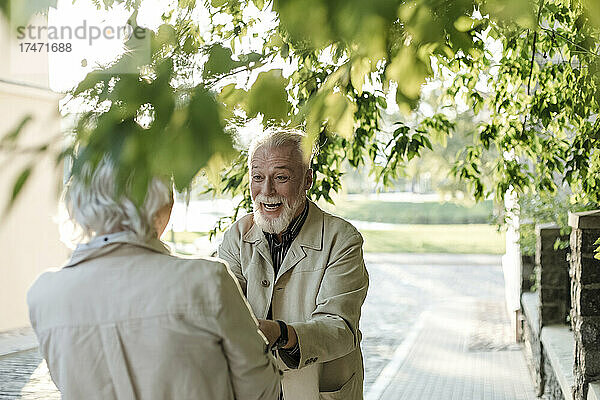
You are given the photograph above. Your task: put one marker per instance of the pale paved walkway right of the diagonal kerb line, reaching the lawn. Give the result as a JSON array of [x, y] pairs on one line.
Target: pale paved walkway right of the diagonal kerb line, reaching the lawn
[[460, 348]]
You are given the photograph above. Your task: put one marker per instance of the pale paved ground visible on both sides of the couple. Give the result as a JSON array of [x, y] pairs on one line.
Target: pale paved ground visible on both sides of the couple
[[459, 348]]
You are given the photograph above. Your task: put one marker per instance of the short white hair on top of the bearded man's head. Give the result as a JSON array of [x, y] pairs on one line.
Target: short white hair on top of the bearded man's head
[[275, 137]]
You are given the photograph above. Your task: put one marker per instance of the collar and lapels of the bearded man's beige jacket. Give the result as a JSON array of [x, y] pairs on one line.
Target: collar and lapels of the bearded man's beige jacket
[[310, 236]]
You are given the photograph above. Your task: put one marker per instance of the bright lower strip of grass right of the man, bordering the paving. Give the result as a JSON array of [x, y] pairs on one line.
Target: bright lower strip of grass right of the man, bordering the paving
[[463, 239]]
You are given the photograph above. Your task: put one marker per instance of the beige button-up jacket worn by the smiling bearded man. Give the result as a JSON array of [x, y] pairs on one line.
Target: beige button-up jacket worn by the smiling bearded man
[[319, 290]]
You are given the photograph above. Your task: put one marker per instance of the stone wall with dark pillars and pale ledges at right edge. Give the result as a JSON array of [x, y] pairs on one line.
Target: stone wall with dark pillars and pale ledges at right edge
[[565, 362]]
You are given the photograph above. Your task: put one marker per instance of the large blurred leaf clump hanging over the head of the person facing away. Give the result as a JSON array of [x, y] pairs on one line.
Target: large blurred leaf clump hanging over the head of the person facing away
[[150, 129]]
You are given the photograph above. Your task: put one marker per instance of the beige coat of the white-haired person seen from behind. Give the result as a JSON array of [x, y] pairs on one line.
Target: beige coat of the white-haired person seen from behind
[[125, 320]]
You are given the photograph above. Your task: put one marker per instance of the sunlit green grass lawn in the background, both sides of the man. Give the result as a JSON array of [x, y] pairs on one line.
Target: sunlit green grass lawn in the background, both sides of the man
[[421, 227]]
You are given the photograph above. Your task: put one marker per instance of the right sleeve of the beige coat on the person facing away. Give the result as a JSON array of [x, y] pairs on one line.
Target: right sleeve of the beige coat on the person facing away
[[253, 369]]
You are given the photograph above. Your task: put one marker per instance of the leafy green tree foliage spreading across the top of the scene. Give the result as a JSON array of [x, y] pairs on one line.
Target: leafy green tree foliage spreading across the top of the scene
[[175, 115]]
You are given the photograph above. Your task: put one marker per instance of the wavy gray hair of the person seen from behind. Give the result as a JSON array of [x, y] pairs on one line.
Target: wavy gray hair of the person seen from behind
[[93, 204]]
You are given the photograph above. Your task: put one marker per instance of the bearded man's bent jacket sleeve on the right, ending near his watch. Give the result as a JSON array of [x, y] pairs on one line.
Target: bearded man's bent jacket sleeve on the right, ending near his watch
[[332, 330]]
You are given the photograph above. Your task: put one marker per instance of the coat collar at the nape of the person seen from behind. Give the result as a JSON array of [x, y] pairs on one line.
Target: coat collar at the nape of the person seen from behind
[[104, 244]]
